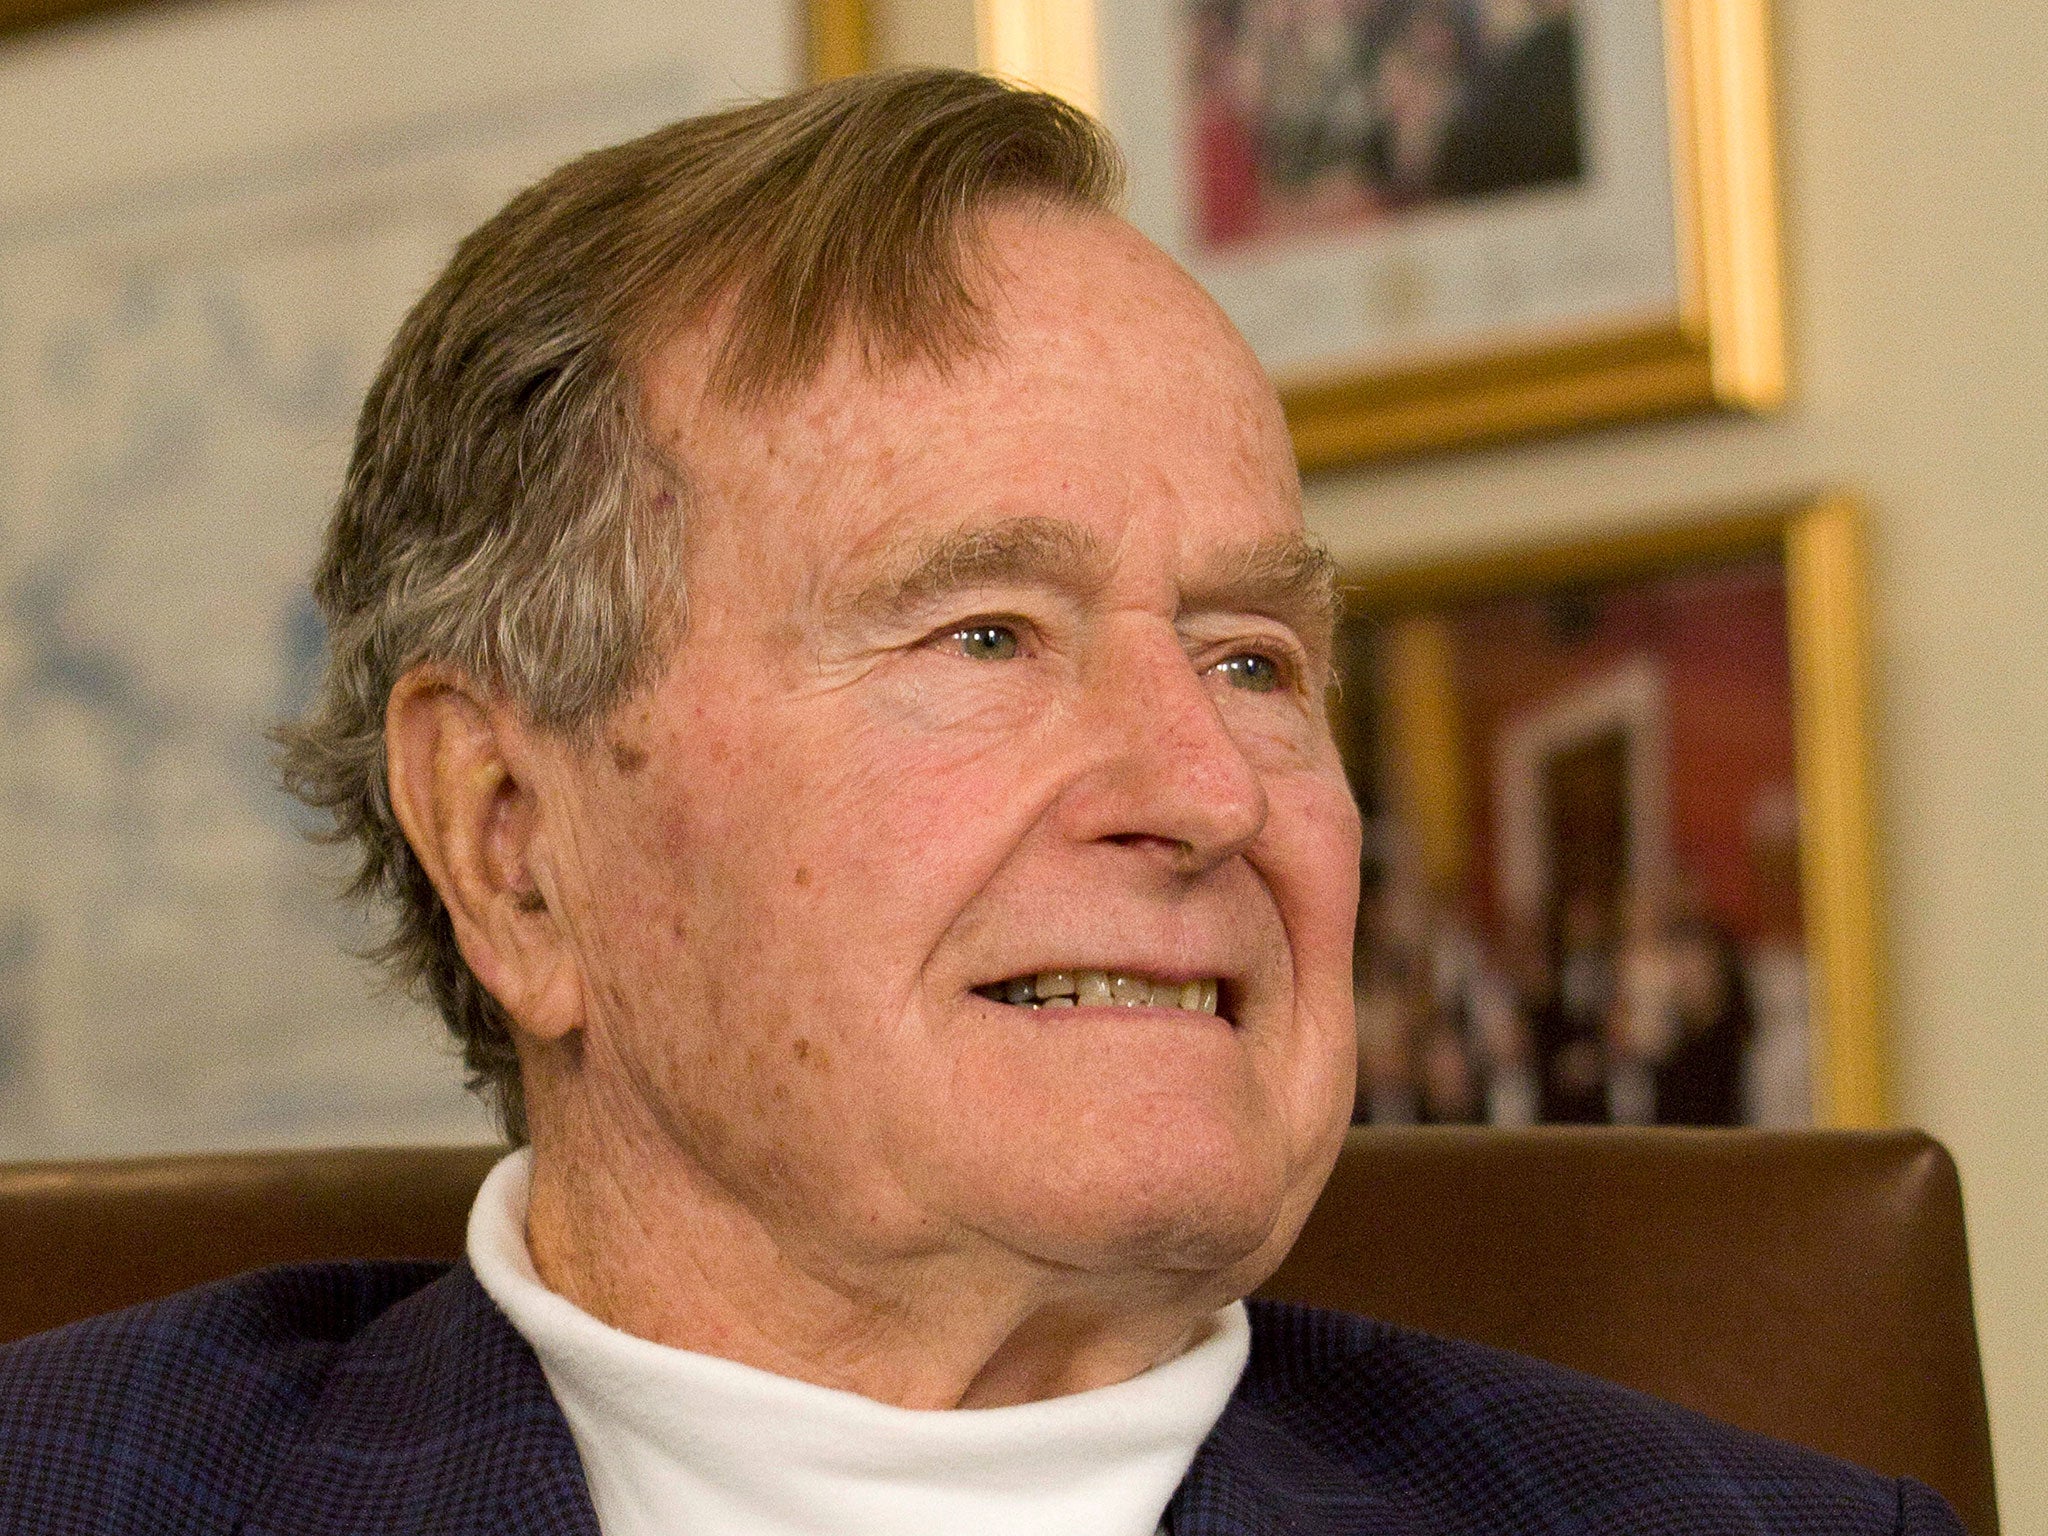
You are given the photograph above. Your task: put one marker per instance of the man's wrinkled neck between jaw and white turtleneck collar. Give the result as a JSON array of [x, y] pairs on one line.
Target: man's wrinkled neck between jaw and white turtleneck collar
[[656, 1250]]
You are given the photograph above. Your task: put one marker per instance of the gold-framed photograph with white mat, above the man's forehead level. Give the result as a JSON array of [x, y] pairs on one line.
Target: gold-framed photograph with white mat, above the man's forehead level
[[1449, 220]]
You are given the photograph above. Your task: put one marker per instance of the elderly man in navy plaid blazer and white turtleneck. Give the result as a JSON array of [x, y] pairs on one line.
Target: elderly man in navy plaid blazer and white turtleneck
[[828, 675]]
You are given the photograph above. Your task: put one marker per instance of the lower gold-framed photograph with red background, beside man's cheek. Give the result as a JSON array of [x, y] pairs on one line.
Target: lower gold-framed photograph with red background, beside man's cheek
[[1619, 830]]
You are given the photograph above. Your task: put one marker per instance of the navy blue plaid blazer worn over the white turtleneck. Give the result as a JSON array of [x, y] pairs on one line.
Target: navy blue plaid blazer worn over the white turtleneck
[[359, 1400]]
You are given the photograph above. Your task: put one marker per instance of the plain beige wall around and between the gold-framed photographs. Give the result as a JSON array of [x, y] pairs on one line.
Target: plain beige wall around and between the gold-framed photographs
[[1916, 153]]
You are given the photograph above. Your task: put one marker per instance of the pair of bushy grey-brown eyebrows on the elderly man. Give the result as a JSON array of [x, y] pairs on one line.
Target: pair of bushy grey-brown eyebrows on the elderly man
[[1287, 579]]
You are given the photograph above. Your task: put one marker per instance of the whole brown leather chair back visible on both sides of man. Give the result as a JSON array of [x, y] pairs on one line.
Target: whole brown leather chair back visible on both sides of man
[[1807, 1285]]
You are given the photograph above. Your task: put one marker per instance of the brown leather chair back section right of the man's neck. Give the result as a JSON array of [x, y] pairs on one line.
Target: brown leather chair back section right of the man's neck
[[1814, 1287]]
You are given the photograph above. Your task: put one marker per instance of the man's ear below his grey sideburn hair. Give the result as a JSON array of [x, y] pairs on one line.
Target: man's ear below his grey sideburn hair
[[466, 785]]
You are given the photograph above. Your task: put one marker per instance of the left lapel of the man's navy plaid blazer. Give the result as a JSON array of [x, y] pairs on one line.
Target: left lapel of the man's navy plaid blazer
[[435, 1422]]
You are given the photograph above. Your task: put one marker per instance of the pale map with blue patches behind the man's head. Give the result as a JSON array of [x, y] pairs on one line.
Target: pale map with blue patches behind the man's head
[[212, 220]]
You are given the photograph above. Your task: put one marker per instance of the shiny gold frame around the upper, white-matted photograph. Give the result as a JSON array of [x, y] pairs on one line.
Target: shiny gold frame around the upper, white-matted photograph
[[1721, 345]]
